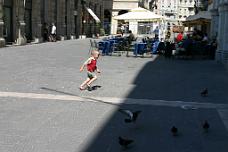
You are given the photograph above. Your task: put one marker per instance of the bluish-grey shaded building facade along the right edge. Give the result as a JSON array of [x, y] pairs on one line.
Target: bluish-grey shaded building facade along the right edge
[[219, 29]]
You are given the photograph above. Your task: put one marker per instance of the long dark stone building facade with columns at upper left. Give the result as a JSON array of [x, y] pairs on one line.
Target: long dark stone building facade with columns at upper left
[[22, 21]]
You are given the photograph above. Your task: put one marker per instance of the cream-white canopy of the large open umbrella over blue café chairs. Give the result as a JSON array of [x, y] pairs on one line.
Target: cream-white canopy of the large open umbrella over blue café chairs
[[139, 14]]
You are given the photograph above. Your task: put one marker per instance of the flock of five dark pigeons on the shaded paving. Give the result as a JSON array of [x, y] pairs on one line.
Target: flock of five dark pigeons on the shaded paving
[[132, 117]]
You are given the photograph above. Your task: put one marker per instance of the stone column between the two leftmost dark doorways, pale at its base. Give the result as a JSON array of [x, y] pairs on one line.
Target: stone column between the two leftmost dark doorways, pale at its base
[[20, 23]]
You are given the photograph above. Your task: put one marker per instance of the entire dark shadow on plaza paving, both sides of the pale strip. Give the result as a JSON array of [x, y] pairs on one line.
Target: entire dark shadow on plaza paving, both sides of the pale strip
[[170, 80]]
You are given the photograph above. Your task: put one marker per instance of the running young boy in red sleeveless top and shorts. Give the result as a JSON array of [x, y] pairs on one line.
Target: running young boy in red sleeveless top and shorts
[[91, 65]]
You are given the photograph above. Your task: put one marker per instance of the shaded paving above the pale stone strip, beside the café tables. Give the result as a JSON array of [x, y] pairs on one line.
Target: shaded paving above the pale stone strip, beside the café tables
[[181, 80]]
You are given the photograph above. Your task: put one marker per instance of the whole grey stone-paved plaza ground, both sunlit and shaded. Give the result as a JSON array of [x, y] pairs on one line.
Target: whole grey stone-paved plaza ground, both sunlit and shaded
[[42, 109]]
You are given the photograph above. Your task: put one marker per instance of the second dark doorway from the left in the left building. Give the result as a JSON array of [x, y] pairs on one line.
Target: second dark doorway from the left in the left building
[[28, 20]]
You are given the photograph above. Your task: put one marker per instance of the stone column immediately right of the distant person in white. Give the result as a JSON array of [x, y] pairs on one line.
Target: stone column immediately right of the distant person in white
[[61, 26]]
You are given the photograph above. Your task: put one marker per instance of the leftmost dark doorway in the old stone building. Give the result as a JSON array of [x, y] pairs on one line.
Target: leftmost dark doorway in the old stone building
[[8, 20]]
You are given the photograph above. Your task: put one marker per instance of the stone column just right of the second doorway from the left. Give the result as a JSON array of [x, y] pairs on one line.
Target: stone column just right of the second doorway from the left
[[36, 20]]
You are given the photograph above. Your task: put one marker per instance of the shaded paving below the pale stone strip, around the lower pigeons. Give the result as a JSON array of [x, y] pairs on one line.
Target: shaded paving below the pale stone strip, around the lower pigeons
[[152, 131]]
